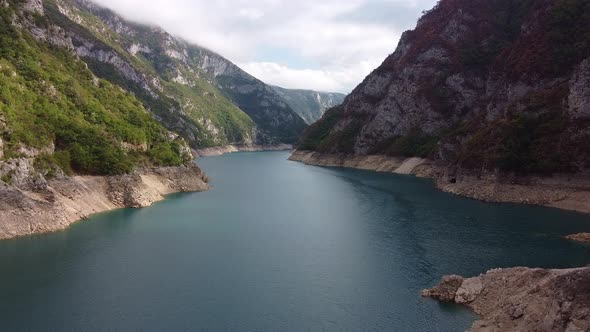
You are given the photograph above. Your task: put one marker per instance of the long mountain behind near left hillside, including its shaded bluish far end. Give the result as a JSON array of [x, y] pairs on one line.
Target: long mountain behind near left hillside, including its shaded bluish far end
[[193, 91]]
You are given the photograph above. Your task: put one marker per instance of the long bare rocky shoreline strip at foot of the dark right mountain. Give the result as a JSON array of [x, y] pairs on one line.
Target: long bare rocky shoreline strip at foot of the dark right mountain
[[564, 192]]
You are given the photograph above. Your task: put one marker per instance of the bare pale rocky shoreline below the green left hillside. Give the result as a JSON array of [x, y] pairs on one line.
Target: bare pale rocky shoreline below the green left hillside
[[66, 200]]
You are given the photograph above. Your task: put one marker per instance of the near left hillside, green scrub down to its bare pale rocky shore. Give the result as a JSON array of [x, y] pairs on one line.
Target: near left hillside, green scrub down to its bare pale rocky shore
[[73, 144]]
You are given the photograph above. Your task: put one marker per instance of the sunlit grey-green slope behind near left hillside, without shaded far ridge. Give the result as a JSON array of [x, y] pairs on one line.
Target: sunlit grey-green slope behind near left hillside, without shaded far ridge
[[149, 62]]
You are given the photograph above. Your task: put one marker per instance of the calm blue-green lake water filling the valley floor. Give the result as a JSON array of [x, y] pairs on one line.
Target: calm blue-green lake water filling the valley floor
[[276, 246]]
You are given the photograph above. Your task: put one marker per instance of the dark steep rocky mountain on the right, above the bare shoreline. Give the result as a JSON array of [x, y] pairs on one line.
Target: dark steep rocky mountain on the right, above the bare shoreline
[[480, 85]]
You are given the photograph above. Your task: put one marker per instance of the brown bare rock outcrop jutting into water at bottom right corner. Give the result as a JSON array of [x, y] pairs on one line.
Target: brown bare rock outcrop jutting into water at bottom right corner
[[522, 299]]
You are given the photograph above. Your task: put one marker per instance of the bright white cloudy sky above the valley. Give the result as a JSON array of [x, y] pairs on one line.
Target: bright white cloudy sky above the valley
[[328, 45]]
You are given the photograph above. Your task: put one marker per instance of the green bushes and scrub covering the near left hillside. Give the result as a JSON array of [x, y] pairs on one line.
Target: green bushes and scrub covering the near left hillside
[[48, 97]]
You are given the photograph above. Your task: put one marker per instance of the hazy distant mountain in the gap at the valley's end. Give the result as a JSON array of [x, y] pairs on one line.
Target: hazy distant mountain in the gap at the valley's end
[[310, 105]]
